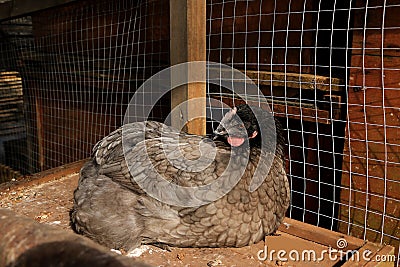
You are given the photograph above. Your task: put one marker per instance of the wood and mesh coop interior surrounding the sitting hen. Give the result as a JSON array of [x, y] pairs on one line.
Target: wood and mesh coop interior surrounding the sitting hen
[[328, 70]]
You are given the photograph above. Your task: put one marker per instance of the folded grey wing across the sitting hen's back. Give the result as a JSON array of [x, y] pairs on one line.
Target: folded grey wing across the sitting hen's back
[[154, 151]]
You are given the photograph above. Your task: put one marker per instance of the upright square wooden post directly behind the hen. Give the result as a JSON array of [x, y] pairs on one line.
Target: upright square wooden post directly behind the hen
[[188, 43]]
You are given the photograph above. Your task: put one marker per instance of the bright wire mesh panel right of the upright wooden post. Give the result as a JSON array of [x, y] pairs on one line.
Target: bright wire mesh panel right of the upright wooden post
[[327, 71]]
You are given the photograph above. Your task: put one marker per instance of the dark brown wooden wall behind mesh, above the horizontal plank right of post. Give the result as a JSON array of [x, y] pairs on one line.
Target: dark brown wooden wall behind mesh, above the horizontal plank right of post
[[239, 24]]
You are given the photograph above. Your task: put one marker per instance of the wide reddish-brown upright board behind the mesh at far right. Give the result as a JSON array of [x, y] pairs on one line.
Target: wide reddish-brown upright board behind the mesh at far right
[[370, 179]]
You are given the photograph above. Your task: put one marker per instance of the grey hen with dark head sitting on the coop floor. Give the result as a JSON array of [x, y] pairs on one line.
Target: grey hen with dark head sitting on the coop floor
[[111, 208]]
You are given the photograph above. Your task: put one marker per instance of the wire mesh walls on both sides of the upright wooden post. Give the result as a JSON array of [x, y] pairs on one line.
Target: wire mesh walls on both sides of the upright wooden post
[[328, 69]]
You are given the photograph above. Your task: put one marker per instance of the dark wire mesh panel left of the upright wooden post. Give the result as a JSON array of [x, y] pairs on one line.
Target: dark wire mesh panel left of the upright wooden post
[[79, 70]]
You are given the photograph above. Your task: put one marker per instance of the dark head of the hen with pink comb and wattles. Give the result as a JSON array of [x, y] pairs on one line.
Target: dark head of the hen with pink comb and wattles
[[237, 126]]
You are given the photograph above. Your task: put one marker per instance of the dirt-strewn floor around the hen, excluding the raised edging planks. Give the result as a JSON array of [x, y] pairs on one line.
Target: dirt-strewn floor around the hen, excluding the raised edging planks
[[50, 201]]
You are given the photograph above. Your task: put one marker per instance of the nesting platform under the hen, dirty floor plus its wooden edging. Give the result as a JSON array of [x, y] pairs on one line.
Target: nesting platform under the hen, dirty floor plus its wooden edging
[[47, 199]]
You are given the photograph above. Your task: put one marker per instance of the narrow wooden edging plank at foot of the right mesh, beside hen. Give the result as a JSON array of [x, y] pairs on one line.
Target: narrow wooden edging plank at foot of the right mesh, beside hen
[[324, 236]]
